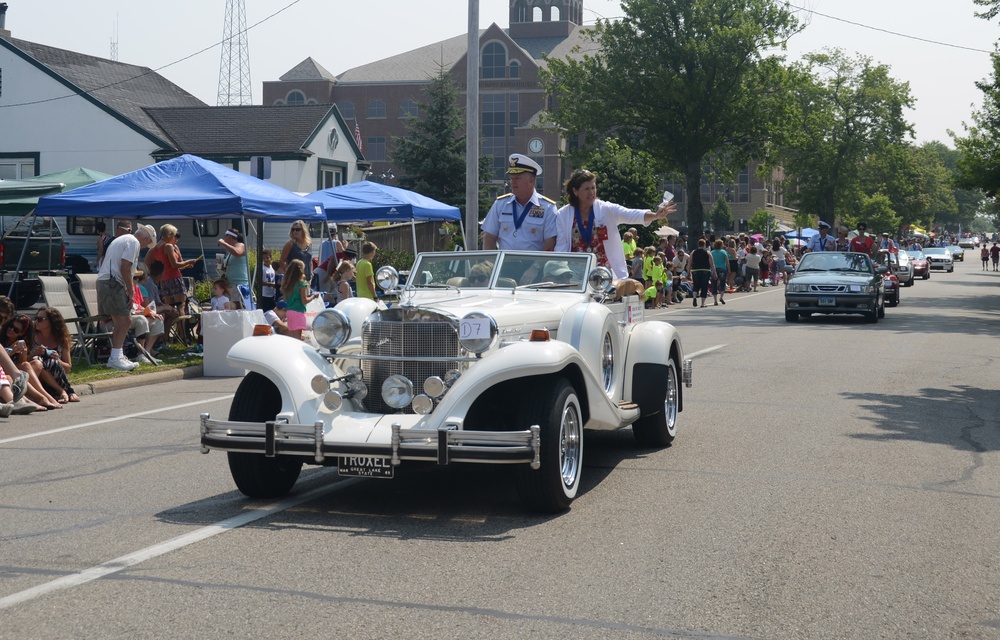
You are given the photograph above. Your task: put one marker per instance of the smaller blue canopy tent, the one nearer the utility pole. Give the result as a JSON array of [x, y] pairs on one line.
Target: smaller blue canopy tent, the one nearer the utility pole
[[367, 201]]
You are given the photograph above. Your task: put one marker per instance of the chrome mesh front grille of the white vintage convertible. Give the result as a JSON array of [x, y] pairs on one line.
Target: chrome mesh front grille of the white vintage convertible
[[405, 340]]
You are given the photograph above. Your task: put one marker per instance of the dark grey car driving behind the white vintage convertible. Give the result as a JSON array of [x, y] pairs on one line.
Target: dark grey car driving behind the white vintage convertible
[[832, 282]]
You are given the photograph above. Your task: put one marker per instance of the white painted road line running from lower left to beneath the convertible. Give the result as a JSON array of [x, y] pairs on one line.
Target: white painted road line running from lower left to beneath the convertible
[[123, 562]]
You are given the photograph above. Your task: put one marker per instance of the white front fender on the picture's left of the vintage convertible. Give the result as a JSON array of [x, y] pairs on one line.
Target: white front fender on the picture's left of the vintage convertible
[[282, 359]]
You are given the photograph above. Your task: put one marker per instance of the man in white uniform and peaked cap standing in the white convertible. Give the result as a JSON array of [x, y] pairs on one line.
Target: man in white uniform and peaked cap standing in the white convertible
[[523, 219]]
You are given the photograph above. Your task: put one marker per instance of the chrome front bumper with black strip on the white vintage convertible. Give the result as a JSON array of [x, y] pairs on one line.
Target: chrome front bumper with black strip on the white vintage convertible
[[430, 445]]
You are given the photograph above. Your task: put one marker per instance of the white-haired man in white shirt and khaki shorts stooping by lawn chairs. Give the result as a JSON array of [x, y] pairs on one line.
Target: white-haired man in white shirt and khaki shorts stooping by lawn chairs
[[115, 288]]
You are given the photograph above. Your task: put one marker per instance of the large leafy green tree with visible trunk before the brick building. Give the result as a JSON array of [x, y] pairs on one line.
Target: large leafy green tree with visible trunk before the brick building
[[680, 79]]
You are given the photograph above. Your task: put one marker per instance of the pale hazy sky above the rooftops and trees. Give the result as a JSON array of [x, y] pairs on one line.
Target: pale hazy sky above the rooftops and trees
[[342, 35]]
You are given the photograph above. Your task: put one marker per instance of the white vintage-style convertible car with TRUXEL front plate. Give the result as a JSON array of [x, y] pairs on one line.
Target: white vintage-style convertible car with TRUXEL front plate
[[487, 357]]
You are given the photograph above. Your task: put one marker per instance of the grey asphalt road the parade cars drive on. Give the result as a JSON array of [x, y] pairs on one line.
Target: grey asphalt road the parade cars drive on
[[830, 479]]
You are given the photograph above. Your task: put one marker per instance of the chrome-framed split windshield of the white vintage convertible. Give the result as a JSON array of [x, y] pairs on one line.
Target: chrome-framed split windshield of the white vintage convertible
[[500, 270]]
